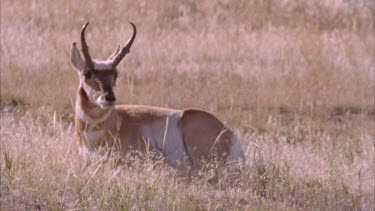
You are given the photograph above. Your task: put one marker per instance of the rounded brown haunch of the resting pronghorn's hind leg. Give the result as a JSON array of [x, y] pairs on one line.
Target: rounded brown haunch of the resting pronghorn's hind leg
[[205, 137]]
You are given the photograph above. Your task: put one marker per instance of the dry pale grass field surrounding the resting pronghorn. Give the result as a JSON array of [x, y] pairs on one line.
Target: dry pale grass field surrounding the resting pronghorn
[[294, 79]]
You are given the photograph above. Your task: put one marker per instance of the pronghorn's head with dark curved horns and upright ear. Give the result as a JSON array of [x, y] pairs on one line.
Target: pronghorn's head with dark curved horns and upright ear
[[98, 78]]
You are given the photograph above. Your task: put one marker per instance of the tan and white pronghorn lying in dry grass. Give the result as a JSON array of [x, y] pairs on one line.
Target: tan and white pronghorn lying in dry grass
[[182, 137]]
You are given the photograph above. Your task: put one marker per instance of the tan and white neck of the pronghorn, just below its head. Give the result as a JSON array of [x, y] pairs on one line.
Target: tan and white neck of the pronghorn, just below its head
[[88, 112]]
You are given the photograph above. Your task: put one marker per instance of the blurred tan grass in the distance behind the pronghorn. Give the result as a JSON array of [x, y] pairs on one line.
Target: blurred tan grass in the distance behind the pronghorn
[[292, 56]]
